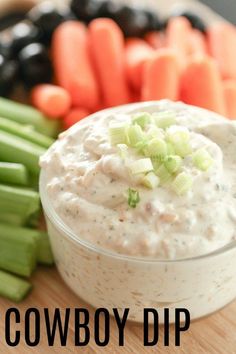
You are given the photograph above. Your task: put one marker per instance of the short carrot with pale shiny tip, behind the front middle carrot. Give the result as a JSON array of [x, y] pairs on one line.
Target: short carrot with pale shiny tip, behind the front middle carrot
[[137, 52]]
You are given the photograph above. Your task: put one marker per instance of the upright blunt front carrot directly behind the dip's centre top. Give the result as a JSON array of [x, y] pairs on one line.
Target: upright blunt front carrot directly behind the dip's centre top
[[161, 76]]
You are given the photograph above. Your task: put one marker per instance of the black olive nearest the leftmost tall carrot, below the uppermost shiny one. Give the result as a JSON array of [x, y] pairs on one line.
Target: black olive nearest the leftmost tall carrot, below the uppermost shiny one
[[35, 65]]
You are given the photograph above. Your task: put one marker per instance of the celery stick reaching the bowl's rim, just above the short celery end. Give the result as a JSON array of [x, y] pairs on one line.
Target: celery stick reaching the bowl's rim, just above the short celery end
[[15, 149]]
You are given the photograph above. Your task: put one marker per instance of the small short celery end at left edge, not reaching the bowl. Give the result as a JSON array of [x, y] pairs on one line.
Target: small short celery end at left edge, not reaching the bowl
[[13, 173]]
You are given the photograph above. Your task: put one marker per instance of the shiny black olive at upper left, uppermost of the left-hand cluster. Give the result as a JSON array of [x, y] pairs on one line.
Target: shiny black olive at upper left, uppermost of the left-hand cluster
[[21, 35]]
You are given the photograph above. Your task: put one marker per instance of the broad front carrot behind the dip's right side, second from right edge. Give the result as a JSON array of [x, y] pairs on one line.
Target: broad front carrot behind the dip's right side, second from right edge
[[202, 86]]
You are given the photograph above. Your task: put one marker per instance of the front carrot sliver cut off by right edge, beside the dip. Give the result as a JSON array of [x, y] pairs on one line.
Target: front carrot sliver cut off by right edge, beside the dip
[[229, 87]]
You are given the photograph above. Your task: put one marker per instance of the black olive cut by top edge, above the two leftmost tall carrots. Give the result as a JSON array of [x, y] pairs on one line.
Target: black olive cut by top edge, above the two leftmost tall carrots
[[86, 10]]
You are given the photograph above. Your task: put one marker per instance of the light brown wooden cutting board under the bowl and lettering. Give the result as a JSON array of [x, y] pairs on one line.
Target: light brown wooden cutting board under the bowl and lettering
[[215, 334]]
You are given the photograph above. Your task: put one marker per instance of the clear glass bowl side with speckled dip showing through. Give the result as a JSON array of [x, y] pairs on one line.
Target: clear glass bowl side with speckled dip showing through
[[104, 279]]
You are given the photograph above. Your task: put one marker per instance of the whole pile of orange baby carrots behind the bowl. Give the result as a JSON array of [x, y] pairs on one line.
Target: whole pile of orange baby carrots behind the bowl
[[96, 67]]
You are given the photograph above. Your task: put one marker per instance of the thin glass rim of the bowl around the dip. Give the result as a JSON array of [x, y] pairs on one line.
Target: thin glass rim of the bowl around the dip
[[68, 233]]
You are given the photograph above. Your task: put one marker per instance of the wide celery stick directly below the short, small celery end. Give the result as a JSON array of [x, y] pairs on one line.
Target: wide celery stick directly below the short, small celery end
[[18, 201]]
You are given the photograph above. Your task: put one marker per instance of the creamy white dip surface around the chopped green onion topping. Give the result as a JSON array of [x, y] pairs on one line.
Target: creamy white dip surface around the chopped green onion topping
[[86, 181]]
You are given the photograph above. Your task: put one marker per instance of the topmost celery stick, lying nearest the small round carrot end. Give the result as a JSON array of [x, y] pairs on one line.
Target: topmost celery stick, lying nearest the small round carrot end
[[23, 114]]
